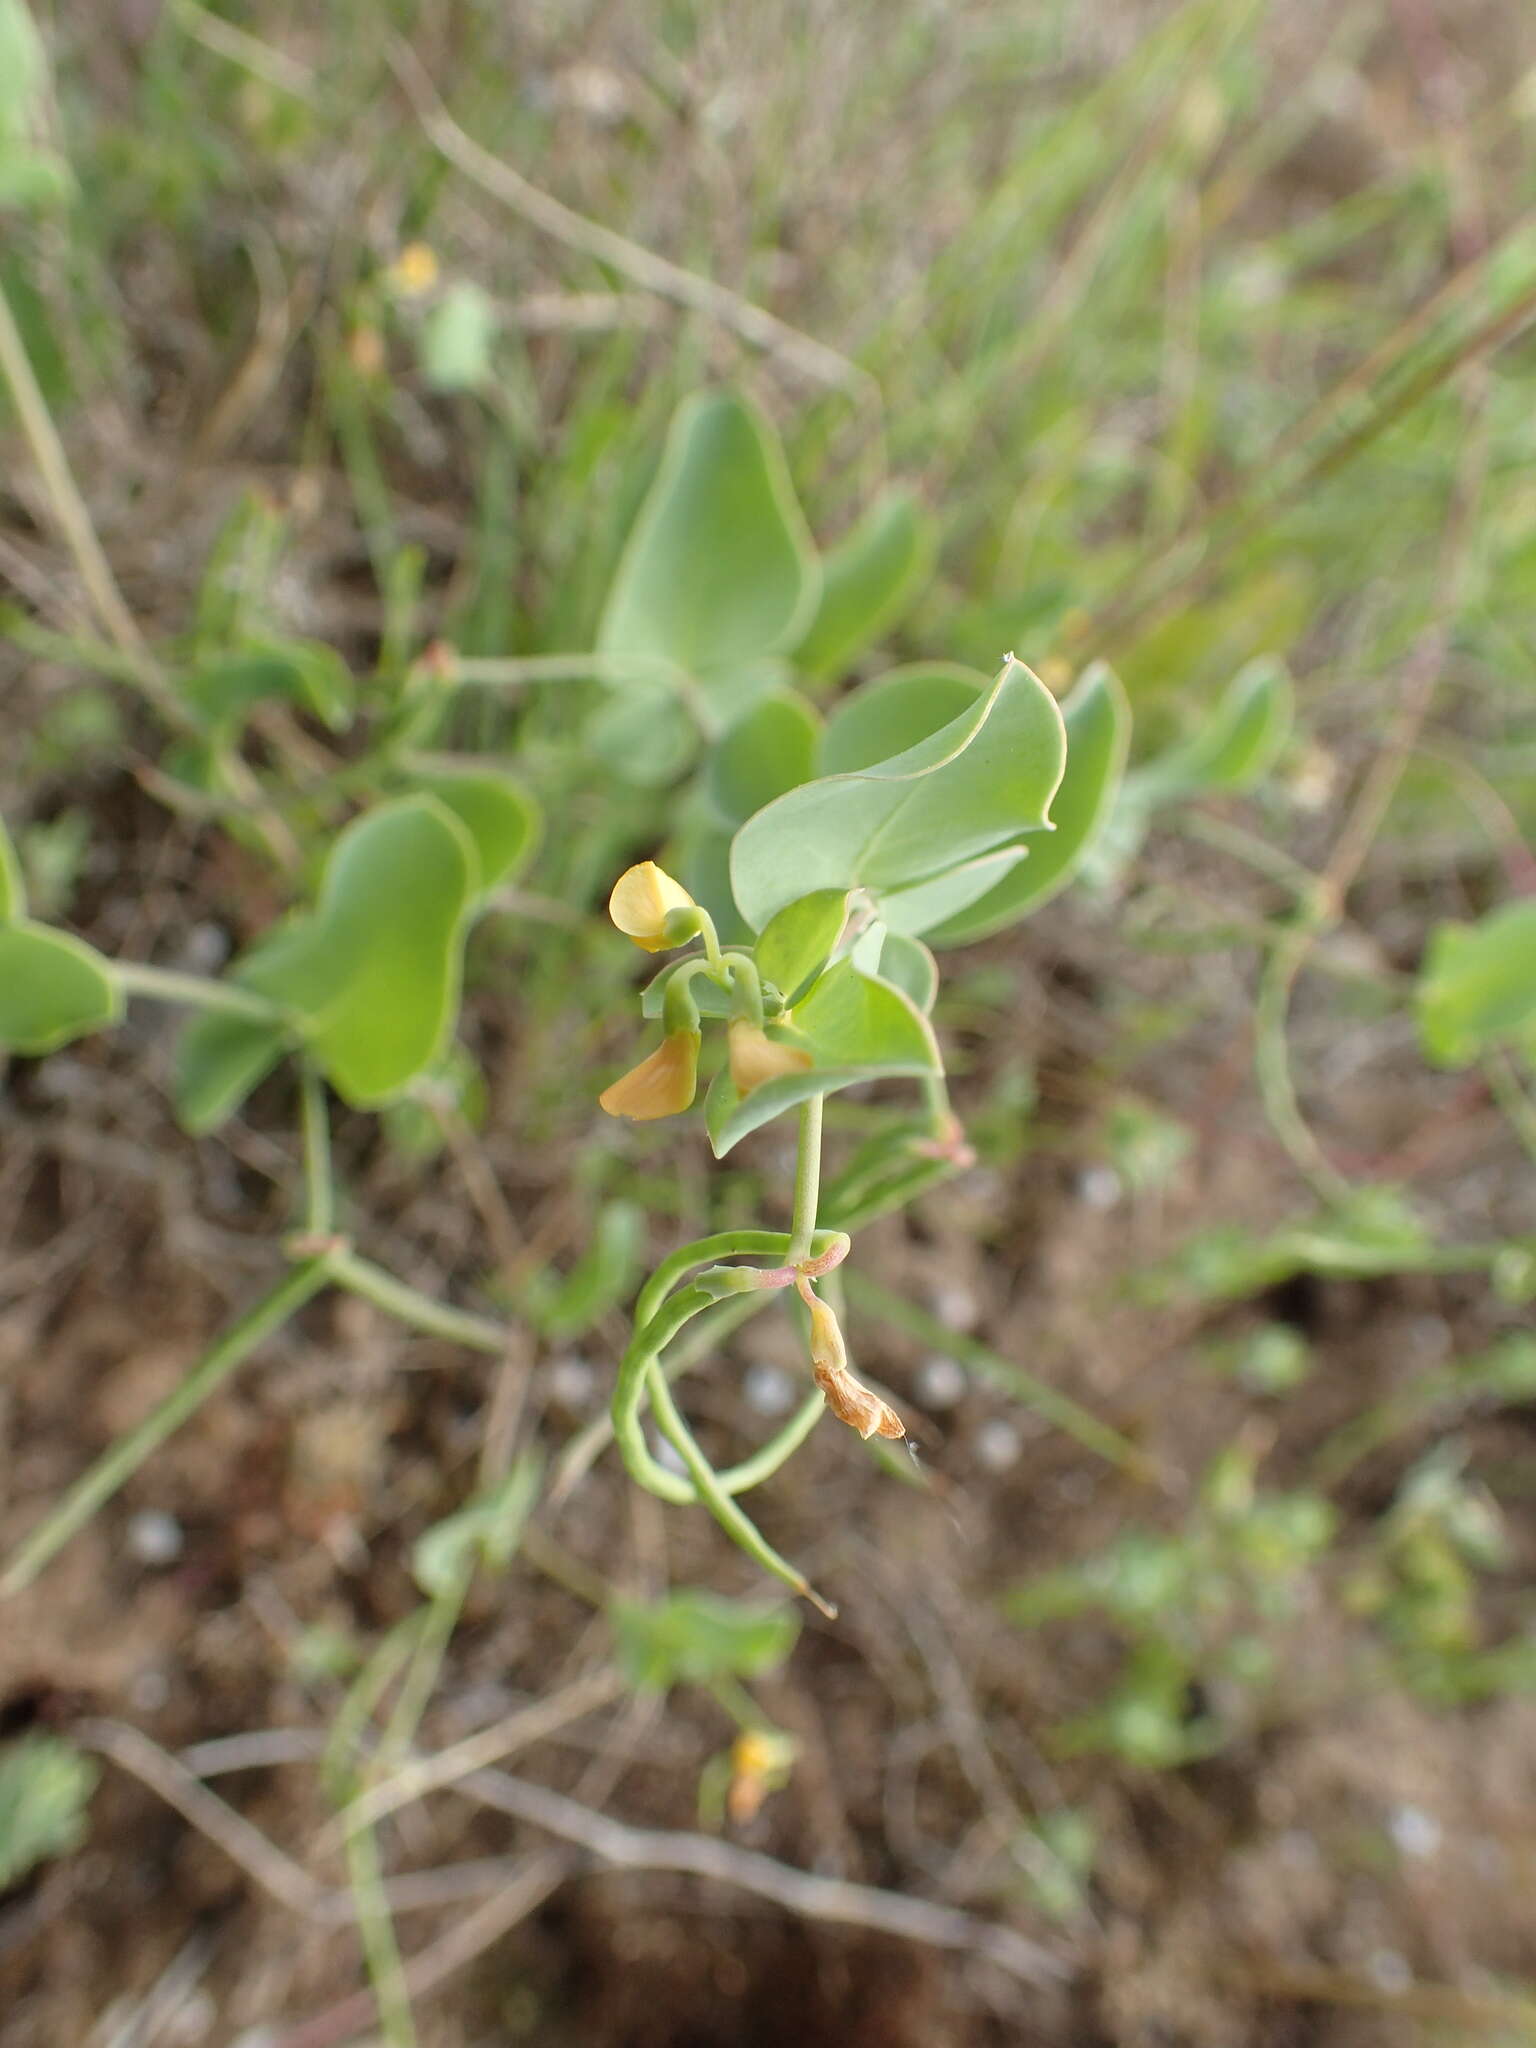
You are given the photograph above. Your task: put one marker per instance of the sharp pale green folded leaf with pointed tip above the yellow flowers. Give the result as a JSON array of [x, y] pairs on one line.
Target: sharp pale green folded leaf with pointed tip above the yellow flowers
[[964, 792]]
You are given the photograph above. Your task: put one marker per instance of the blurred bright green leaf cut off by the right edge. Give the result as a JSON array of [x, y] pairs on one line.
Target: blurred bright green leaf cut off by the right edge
[[1478, 986]]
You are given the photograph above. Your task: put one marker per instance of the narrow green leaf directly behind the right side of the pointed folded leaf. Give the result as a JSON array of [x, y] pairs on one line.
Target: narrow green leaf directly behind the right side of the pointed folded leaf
[[1099, 736]]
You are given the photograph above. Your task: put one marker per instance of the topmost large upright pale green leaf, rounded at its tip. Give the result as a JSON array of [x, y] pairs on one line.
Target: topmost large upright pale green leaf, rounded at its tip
[[720, 566]]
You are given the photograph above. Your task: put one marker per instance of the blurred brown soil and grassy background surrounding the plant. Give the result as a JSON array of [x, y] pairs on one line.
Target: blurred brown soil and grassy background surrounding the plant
[[1205, 333]]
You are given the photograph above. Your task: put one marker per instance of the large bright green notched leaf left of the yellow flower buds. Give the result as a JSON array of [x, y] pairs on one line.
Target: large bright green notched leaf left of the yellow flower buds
[[372, 976]]
